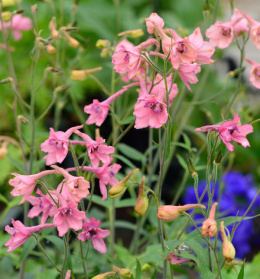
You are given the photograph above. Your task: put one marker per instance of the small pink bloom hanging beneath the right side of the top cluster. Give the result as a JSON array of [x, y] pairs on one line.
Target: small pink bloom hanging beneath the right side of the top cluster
[[187, 73]]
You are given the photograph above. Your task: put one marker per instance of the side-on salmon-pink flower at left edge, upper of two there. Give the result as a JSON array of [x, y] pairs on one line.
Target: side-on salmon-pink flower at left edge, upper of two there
[[24, 184]]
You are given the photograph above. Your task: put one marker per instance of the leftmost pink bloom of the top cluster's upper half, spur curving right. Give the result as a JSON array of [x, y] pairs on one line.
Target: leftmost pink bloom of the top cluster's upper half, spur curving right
[[127, 59]]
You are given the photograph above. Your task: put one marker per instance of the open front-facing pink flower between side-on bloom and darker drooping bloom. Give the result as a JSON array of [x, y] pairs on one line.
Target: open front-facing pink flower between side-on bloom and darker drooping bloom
[[68, 216]]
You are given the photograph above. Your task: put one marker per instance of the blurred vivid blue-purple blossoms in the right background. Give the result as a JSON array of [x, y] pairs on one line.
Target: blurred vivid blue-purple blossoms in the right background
[[239, 191]]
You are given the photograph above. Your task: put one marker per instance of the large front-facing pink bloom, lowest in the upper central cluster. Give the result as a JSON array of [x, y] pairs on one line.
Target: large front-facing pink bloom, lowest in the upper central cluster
[[150, 111]]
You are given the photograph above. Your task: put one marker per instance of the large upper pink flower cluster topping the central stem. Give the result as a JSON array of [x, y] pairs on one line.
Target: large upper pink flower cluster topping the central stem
[[155, 96]]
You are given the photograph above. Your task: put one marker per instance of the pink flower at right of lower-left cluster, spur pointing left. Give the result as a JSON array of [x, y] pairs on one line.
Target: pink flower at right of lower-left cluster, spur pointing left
[[106, 175]]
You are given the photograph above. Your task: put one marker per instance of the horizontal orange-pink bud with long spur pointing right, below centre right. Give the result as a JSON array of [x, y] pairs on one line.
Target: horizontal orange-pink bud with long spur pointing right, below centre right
[[172, 212]]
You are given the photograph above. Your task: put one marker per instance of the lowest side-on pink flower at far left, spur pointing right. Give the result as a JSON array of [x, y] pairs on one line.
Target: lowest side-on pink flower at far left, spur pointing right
[[20, 233]]
